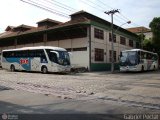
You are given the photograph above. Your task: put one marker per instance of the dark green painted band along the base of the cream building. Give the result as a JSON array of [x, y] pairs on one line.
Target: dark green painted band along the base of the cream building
[[103, 66]]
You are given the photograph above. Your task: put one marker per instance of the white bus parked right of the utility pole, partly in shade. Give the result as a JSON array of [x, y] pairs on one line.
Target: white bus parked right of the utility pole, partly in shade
[[138, 60]]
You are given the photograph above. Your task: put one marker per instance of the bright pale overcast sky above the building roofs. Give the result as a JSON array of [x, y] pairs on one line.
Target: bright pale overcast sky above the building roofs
[[139, 12]]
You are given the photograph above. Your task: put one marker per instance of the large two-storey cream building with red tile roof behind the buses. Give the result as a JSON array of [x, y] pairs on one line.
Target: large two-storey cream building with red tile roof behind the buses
[[87, 36]]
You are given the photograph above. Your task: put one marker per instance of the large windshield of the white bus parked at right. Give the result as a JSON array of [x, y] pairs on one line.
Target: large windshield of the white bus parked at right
[[129, 58]]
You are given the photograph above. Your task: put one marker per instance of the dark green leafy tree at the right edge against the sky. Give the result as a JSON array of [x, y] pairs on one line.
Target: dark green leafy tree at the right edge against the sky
[[155, 28]]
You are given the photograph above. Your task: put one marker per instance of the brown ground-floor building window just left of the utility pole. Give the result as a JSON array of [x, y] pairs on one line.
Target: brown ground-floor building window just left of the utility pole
[[99, 54]]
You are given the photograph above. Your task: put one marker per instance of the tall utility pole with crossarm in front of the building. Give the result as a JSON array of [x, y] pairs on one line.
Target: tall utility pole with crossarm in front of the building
[[112, 12]]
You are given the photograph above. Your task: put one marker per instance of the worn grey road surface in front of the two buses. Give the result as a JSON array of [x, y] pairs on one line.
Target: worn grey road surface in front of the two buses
[[82, 93]]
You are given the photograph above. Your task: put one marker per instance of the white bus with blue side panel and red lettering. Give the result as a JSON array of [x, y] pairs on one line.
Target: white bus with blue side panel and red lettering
[[41, 58]]
